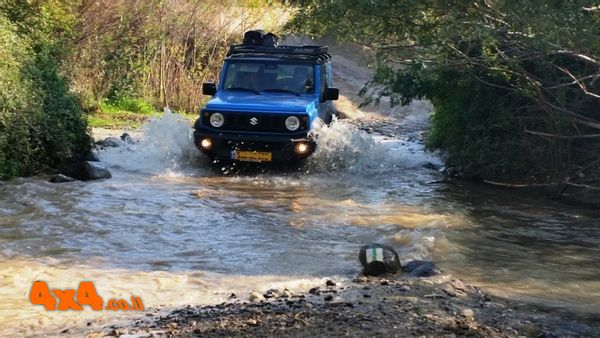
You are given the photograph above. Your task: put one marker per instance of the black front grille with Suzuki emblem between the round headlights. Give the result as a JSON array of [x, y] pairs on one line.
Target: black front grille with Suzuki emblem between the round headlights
[[257, 122]]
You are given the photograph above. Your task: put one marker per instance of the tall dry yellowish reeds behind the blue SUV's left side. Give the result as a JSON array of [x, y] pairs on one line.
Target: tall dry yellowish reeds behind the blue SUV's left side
[[159, 51]]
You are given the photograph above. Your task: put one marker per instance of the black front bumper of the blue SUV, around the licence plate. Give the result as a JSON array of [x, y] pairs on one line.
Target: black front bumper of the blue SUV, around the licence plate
[[281, 147]]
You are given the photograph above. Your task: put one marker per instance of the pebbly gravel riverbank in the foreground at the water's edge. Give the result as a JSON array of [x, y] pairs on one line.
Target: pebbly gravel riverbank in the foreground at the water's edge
[[390, 306]]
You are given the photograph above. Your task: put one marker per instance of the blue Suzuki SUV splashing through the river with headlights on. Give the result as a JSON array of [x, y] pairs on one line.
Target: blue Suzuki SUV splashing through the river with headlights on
[[267, 101]]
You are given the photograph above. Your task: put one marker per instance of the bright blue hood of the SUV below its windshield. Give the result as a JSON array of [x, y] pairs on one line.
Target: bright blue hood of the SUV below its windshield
[[241, 101]]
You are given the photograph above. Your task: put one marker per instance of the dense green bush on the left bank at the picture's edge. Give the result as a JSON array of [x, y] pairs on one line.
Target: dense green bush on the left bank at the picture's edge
[[41, 122]]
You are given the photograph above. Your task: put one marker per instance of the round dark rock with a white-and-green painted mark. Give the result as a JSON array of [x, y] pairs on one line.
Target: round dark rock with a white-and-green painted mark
[[377, 259]]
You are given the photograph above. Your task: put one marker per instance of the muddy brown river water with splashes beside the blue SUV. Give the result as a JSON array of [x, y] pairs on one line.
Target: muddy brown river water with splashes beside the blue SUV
[[175, 229]]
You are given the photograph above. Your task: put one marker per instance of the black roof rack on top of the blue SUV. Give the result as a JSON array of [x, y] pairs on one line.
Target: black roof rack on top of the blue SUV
[[317, 52]]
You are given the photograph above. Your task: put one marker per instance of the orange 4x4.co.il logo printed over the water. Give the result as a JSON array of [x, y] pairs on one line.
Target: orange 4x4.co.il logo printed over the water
[[74, 300]]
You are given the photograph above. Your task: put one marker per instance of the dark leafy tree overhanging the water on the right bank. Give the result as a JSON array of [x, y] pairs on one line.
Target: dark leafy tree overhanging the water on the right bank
[[514, 83]]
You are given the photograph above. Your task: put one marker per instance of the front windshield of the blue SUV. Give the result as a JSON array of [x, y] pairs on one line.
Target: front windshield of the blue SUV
[[293, 78]]
